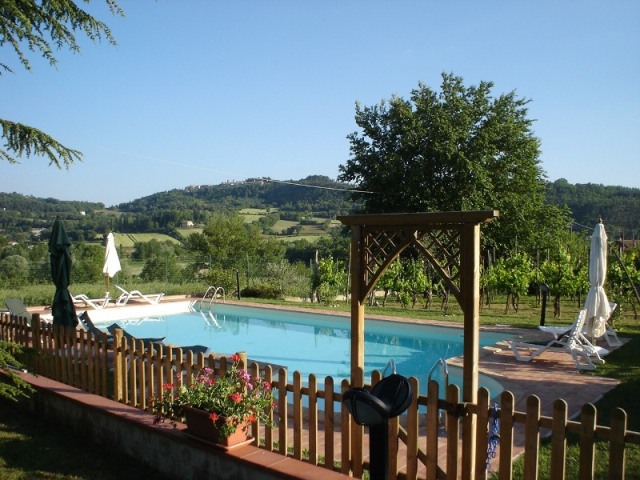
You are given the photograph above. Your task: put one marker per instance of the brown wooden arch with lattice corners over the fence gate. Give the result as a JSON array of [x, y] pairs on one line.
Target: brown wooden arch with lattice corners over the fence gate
[[450, 241]]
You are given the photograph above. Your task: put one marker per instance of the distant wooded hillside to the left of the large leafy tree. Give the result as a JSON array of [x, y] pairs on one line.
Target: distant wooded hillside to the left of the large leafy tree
[[316, 197]]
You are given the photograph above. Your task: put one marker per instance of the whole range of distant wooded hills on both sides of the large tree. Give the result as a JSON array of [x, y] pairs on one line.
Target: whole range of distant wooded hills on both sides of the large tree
[[315, 197]]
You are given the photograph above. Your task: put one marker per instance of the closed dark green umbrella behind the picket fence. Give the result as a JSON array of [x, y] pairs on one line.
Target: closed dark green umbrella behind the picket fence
[[64, 312]]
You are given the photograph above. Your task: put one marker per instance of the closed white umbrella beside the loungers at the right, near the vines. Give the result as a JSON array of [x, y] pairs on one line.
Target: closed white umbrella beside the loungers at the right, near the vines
[[597, 304]]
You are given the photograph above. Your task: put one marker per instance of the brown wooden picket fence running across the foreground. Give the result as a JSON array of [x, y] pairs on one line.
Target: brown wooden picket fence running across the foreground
[[311, 424]]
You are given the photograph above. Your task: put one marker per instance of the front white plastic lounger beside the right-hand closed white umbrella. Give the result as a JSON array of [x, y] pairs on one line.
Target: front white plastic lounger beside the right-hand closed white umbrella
[[584, 354]]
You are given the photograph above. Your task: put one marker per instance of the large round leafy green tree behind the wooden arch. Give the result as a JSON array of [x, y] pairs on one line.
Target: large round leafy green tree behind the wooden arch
[[458, 149]]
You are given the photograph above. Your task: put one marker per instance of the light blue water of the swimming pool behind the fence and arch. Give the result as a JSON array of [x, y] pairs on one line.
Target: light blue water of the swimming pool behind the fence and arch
[[314, 343]]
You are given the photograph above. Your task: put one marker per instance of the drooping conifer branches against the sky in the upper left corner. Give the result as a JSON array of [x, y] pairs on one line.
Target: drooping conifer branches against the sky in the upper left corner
[[42, 27]]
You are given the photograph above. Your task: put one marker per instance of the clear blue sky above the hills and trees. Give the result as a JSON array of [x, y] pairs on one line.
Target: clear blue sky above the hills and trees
[[205, 91]]
